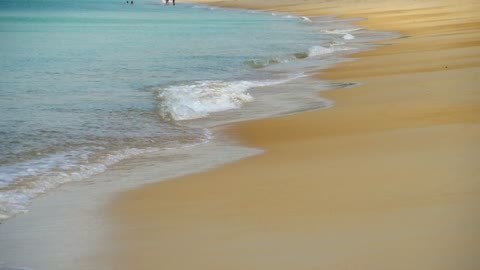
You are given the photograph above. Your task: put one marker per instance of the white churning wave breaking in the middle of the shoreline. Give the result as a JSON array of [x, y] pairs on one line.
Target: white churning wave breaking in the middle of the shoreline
[[201, 98]]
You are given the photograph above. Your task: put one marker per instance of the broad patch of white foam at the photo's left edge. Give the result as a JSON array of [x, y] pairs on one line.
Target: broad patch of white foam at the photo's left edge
[[39, 176]]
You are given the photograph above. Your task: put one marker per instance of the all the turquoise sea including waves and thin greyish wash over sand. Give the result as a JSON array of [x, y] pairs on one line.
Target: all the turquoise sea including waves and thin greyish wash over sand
[[112, 96]]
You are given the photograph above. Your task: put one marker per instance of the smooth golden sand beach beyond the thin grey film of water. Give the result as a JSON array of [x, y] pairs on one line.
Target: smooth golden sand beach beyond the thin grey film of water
[[387, 179]]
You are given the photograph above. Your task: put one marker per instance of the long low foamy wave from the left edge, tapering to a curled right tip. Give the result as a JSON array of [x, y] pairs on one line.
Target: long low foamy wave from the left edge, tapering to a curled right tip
[[21, 182]]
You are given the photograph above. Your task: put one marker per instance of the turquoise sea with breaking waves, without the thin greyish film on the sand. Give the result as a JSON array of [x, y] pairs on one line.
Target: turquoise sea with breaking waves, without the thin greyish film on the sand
[[85, 85]]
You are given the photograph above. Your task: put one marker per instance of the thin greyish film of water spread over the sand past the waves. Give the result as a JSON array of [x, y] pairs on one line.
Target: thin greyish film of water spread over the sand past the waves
[[78, 222]]
